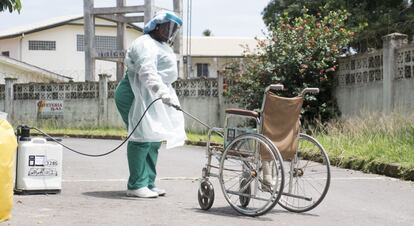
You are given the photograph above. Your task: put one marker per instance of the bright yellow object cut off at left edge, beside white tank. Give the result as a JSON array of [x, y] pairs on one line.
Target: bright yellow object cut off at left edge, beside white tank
[[8, 145]]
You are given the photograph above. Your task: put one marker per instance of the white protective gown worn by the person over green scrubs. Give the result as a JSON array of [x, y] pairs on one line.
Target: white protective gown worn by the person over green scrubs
[[152, 68]]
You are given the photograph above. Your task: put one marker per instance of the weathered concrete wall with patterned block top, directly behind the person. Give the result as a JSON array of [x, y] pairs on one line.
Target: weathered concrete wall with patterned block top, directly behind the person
[[85, 104]]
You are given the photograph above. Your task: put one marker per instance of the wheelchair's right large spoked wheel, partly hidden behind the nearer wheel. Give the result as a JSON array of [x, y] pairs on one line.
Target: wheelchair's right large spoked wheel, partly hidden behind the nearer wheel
[[307, 176]]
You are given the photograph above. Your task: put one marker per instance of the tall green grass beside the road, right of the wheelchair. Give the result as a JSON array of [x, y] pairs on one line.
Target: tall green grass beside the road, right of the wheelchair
[[372, 138]]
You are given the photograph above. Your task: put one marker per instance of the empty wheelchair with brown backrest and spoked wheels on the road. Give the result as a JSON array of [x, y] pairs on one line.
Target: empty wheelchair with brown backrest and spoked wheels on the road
[[268, 163]]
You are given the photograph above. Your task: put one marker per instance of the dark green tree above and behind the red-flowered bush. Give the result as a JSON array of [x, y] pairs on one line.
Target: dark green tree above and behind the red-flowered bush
[[377, 17]]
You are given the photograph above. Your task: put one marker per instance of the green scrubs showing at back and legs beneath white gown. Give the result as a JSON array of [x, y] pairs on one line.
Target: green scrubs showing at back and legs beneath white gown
[[142, 156]]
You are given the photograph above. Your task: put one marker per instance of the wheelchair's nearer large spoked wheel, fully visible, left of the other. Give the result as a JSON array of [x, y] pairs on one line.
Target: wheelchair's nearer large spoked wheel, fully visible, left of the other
[[241, 174]]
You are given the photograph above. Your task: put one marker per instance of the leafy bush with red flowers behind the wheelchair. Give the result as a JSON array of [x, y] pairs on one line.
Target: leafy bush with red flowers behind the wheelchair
[[298, 53]]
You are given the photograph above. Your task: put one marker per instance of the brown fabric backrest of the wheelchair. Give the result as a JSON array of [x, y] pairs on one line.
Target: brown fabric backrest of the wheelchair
[[280, 122]]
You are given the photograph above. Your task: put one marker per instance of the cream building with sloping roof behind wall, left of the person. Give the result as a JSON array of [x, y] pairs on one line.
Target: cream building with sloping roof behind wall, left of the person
[[57, 45]]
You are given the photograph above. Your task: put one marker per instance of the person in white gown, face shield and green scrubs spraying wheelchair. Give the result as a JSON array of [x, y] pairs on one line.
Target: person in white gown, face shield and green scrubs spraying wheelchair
[[151, 69]]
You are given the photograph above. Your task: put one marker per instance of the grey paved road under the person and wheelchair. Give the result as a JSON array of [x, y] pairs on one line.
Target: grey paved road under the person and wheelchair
[[93, 194]]
